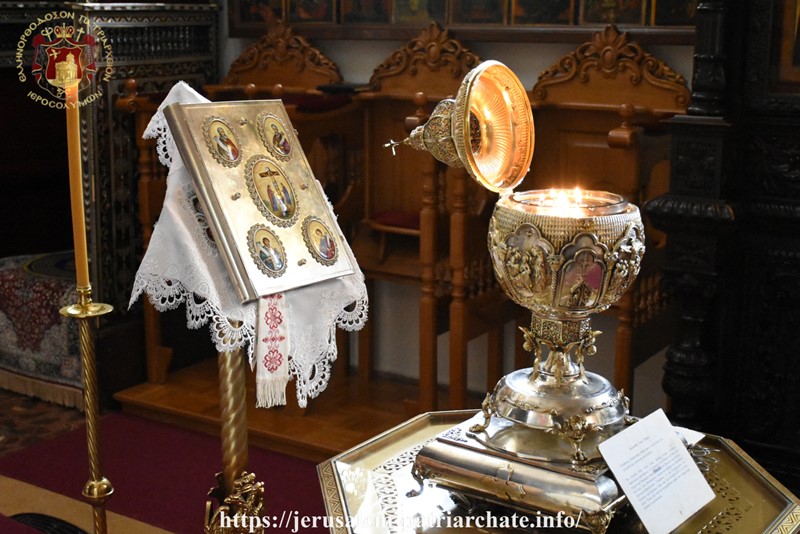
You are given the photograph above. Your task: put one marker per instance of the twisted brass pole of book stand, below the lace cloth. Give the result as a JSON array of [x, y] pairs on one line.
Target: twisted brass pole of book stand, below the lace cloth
[[233, 422]]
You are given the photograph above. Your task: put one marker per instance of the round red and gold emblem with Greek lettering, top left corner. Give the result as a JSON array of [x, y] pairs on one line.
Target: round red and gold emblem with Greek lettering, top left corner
[[66, 49]]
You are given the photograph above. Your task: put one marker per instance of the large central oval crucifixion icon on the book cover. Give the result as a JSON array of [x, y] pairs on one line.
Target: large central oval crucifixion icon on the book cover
[[271, 191]]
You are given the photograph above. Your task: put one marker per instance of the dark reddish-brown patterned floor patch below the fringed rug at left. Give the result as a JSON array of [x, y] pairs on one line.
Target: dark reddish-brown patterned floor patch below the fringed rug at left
[[25, 421]]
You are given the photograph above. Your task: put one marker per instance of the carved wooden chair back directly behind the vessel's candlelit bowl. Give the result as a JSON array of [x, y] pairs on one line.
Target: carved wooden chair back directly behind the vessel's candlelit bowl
[[591, 100]]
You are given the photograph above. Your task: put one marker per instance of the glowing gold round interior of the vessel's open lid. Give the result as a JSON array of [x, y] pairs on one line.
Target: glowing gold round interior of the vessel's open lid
[[493, 126]]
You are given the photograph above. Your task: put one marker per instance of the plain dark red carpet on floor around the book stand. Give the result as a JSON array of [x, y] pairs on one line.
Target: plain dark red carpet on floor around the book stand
[[161, 474]]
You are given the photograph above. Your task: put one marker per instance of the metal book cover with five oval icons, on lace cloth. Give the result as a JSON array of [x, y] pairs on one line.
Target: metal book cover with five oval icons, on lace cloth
[[269, 218]]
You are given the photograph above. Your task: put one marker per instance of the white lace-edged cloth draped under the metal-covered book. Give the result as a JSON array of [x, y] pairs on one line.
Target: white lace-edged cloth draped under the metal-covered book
[[182, 265]]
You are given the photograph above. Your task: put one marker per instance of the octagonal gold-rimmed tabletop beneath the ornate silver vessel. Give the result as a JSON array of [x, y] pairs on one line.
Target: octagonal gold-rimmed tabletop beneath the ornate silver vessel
[[366, 488]]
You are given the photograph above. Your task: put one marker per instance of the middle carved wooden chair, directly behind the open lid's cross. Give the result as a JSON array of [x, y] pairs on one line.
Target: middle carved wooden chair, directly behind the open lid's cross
[[414, 194]]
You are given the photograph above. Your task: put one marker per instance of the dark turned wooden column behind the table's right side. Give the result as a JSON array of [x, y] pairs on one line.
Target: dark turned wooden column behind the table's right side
[[697, 217]]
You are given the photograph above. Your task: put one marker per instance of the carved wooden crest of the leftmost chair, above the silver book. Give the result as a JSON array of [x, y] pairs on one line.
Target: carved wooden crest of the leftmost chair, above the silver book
[[280, 57]]
